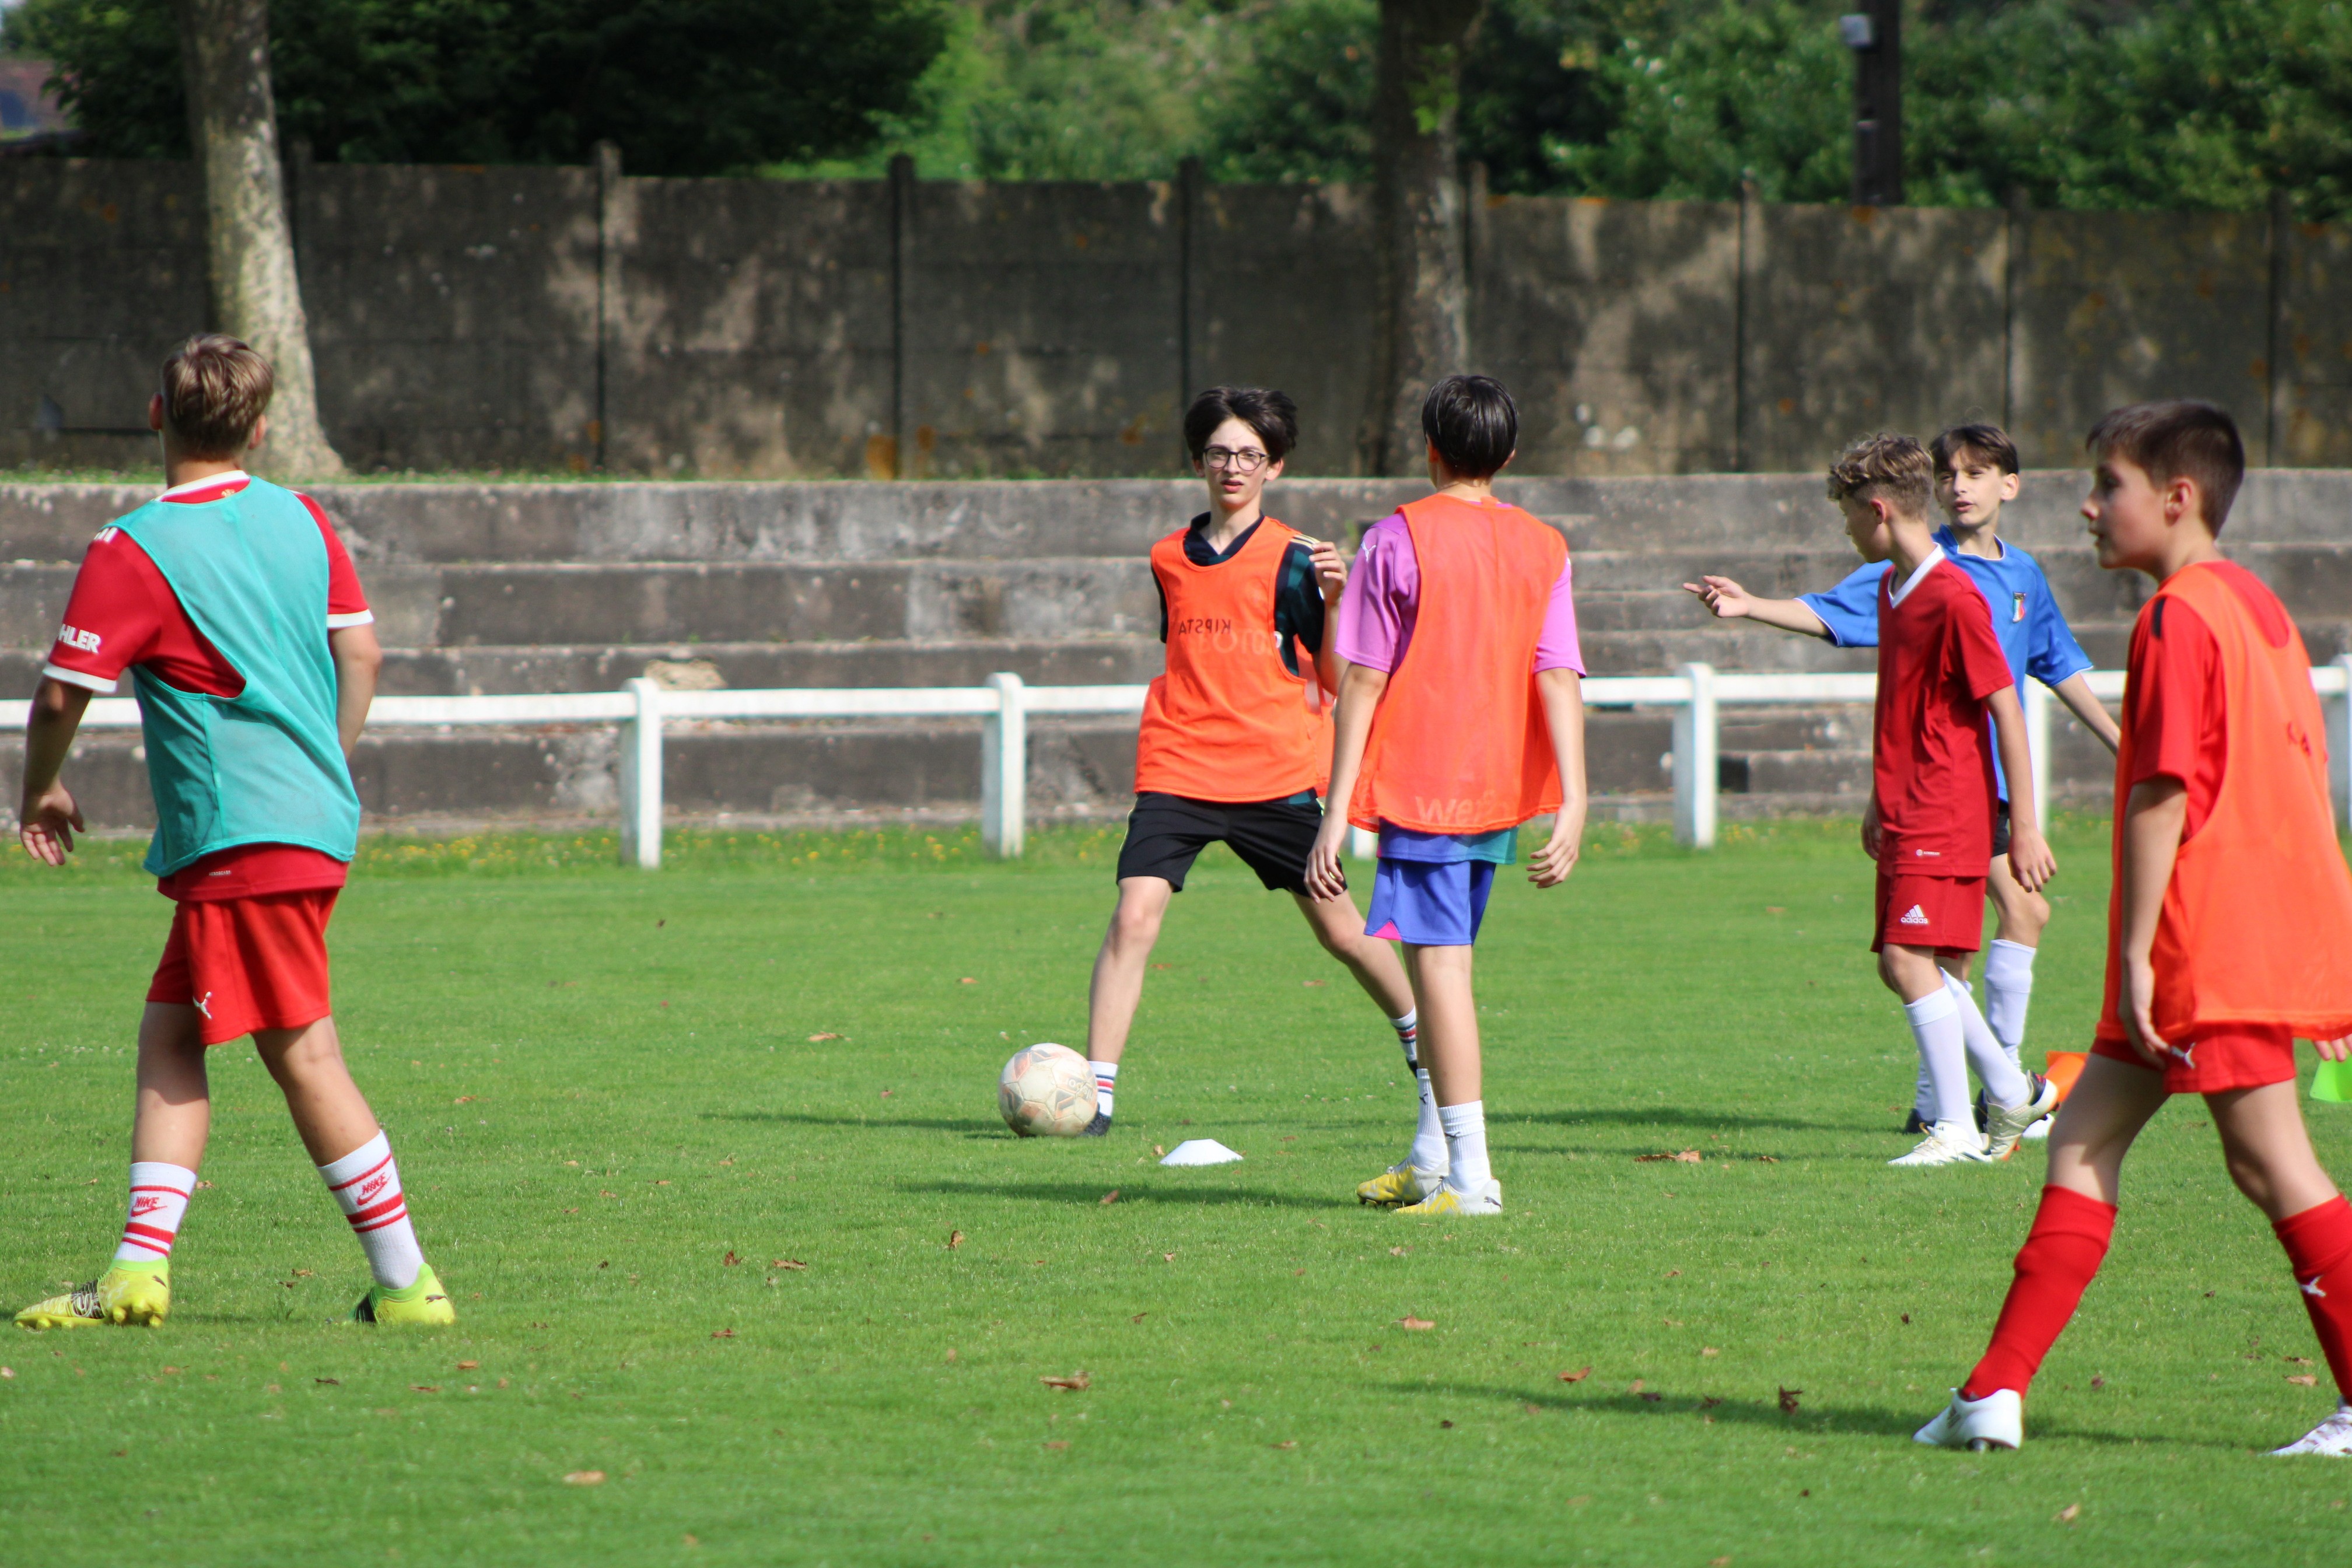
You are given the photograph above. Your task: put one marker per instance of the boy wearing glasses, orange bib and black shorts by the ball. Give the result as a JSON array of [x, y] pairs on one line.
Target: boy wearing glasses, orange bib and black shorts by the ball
[[1236, 737]]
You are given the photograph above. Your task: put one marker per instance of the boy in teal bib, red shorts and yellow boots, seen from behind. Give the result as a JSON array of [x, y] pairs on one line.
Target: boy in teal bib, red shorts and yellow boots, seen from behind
[[250, 648]]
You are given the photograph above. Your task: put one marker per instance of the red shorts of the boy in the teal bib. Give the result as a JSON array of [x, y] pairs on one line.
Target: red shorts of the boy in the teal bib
[[248, 963]]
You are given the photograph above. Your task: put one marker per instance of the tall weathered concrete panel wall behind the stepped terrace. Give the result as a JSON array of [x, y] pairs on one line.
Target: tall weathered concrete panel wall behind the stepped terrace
[[575, 319]]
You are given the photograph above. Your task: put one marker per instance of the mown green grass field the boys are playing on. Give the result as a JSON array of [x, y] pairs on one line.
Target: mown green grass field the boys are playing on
[[613, 1120]]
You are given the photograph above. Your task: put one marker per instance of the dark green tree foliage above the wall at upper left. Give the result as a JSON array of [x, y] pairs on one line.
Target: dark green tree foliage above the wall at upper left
[[681, 86]]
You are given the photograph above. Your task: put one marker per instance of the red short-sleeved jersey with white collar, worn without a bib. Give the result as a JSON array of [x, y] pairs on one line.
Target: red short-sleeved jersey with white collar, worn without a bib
[[1932, 753]]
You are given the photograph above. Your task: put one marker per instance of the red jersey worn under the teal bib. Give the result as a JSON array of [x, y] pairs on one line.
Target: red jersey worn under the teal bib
[[123, 615]]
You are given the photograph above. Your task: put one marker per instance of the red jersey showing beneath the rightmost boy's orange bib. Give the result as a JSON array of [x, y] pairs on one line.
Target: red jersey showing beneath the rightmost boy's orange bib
[[2177, 699]]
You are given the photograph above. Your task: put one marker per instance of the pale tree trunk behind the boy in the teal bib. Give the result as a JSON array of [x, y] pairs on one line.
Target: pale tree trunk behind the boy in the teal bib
[[225, 51]]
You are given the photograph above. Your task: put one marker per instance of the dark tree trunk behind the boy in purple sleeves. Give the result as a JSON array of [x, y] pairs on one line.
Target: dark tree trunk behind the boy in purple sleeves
[[1424, 274]]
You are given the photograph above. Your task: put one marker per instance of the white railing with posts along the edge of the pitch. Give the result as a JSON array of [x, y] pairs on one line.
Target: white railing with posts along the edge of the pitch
[[641, 709]]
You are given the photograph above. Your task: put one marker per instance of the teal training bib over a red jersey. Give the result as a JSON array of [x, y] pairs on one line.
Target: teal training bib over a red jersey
[[267, 765]]
